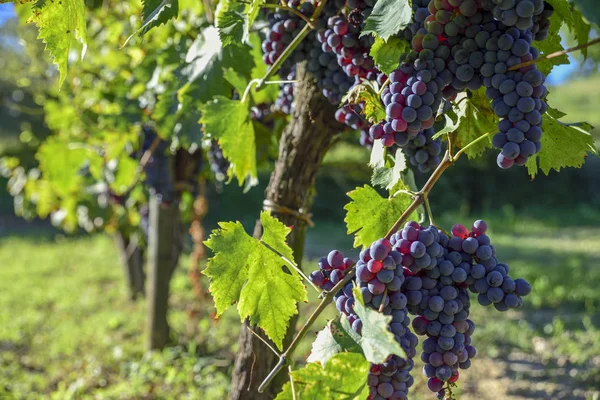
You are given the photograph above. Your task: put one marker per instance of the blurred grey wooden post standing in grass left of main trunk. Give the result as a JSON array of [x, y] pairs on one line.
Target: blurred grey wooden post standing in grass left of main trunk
[[164, 247]]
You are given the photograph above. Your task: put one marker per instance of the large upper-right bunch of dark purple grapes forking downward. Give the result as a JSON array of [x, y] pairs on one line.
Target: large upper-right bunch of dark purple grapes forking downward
[[466, 44]]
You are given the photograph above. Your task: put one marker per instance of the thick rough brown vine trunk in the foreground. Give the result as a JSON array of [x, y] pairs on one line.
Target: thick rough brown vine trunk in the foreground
[[302, 146]]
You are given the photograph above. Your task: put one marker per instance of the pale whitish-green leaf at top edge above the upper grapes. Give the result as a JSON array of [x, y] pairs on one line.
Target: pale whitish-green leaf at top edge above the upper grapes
[[388, 18]]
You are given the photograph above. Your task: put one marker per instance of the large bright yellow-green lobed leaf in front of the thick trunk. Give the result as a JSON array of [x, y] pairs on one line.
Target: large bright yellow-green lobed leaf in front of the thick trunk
[[245, 271]]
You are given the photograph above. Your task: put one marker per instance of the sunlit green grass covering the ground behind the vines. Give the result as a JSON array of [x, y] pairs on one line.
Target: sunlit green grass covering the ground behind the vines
[[67, 330]]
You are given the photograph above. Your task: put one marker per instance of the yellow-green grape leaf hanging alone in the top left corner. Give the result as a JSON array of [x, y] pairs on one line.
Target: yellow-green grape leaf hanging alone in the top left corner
[[59, 22]]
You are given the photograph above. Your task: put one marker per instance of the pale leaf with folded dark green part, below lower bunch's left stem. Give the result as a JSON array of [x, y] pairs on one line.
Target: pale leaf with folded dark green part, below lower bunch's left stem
[[334, 338]]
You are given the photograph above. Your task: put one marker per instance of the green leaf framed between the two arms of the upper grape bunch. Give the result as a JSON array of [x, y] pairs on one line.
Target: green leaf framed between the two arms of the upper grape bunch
[[475, 119]]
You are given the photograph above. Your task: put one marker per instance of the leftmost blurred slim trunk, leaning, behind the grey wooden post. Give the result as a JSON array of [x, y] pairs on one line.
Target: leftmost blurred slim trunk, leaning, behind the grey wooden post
[[132, 261]]
